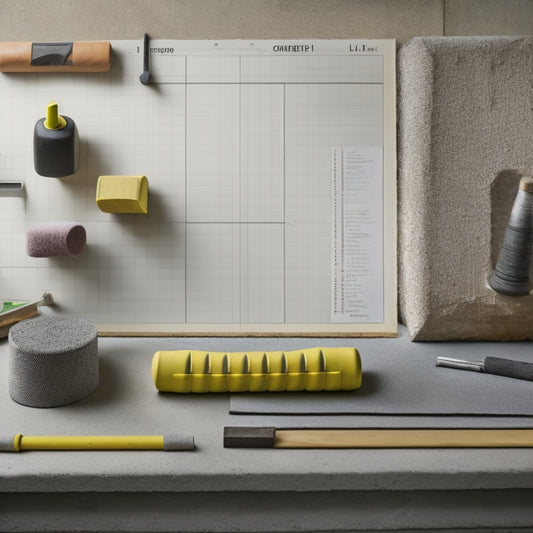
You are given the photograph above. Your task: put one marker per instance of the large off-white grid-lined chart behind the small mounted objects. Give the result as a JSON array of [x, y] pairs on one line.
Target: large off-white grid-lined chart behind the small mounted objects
[[236, 139]]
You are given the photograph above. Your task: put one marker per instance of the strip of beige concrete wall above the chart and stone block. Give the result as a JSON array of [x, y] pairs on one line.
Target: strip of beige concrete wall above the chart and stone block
[[224, 19]]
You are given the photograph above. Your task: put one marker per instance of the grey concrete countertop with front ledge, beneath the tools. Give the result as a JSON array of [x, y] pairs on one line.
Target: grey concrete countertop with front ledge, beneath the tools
[[126, 402]]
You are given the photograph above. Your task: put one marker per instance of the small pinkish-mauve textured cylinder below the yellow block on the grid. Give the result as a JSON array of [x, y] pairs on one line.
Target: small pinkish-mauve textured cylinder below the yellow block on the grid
[[51, 239]]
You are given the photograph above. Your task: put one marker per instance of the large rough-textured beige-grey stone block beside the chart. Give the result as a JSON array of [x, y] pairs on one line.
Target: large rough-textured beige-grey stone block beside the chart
[[465, 138]]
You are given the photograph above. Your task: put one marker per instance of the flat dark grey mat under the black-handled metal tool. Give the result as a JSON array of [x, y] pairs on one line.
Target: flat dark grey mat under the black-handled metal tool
[[401, 378]]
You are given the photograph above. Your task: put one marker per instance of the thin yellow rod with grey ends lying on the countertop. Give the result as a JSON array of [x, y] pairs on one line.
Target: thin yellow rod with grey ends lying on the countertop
[[18, 443]]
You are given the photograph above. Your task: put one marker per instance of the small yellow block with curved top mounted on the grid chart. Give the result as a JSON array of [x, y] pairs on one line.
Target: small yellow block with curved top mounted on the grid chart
[[122, 194]]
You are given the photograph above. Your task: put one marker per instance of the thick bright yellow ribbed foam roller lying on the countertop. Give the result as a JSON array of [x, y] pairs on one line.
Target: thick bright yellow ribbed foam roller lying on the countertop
[[312, 369]]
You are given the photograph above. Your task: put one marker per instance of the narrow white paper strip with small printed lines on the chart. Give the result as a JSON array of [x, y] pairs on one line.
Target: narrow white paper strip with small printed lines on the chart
[[357, 238]]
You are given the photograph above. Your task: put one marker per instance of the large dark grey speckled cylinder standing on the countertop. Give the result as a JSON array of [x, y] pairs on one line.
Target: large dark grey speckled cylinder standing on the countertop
[[53, 360]]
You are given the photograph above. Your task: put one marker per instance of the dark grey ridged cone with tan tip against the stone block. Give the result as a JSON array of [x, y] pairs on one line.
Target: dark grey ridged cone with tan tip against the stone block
[[511, 275]]
